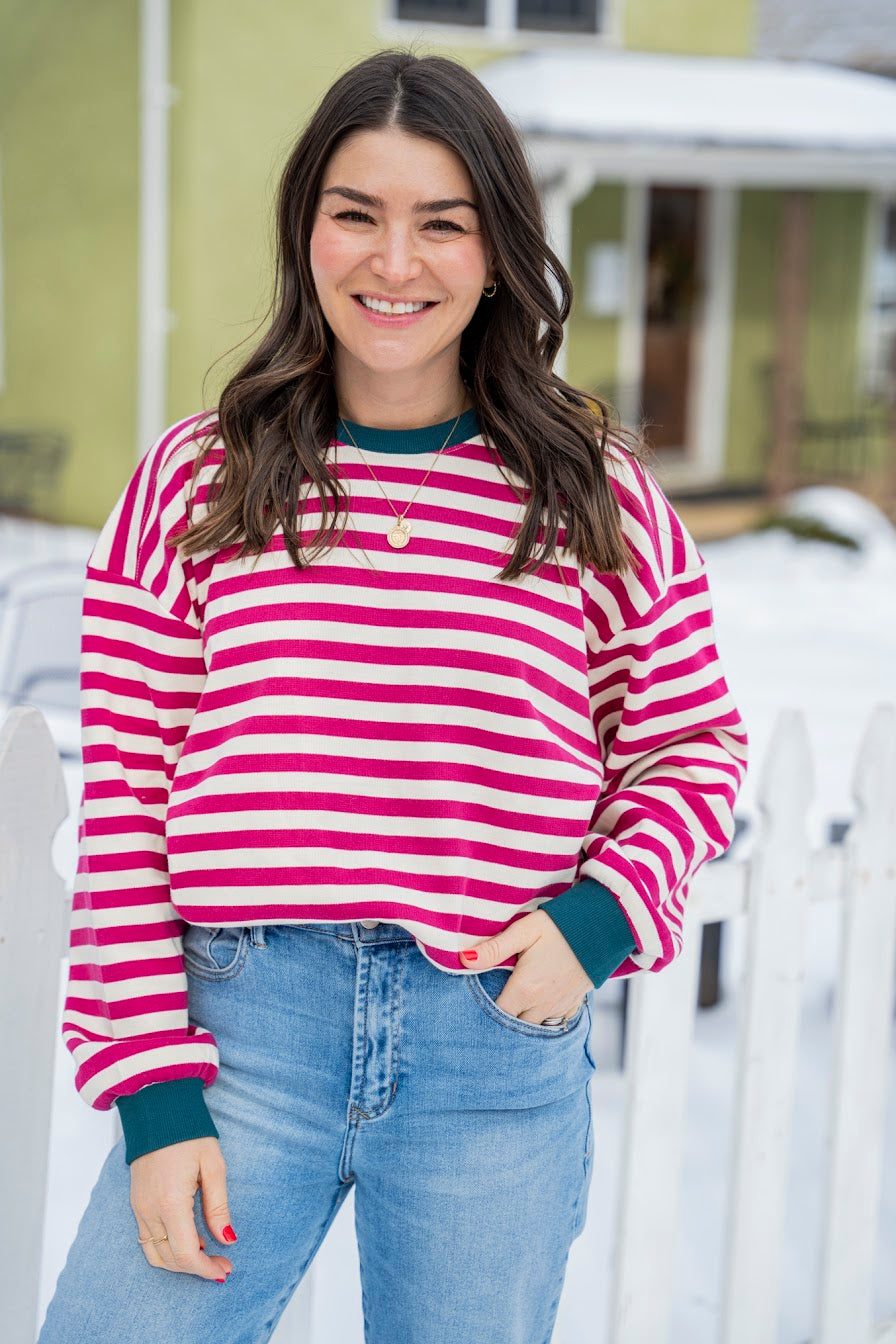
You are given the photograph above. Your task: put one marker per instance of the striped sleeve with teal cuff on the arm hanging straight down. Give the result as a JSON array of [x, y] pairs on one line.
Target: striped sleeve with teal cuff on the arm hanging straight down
[[126, 1018]]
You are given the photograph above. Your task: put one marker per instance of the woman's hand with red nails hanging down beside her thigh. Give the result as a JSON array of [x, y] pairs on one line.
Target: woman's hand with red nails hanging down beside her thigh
[[163, 1185]]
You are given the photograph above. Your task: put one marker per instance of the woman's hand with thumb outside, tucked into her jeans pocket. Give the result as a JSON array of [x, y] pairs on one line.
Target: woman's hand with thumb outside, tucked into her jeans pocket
[[549, 979]]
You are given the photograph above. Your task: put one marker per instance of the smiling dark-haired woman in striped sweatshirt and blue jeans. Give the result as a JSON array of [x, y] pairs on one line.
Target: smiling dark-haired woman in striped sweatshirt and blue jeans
[[405, 729]]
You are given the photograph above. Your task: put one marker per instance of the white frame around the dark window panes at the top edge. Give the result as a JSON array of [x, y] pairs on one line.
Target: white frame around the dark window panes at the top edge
[[500, 29]]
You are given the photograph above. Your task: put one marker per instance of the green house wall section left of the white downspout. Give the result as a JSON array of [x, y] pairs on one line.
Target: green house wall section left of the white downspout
[[69, 140]]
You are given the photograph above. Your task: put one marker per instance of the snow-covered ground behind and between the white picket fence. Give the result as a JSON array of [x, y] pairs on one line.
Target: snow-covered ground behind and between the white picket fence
[[800, 624]]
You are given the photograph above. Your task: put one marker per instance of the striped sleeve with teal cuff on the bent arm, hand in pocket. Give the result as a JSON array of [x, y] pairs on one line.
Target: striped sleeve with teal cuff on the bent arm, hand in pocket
[[675, 753]]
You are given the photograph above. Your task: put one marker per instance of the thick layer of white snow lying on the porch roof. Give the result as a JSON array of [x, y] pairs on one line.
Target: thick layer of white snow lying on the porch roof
[[664, 99]]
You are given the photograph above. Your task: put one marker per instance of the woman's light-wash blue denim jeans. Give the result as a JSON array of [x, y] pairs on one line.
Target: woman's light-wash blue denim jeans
[[350, 1060]]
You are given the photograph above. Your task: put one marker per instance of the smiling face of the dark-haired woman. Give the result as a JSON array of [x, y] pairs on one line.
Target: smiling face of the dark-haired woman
[[405, 243]]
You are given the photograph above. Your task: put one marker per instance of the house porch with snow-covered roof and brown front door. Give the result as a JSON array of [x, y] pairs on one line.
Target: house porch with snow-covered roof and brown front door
[[684, 138]]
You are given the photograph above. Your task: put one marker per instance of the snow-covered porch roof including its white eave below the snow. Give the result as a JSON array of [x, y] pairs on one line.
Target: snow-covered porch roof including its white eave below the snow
[[745, 119]]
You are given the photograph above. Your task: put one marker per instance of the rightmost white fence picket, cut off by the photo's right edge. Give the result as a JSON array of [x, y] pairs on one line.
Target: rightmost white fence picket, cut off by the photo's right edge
[[862, 1042]]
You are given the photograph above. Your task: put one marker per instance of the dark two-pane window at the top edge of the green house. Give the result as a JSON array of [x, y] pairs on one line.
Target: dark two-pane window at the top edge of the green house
[[499, 18]]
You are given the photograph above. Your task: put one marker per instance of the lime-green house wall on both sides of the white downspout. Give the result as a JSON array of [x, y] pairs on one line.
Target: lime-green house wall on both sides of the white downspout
[[247, 77]]
